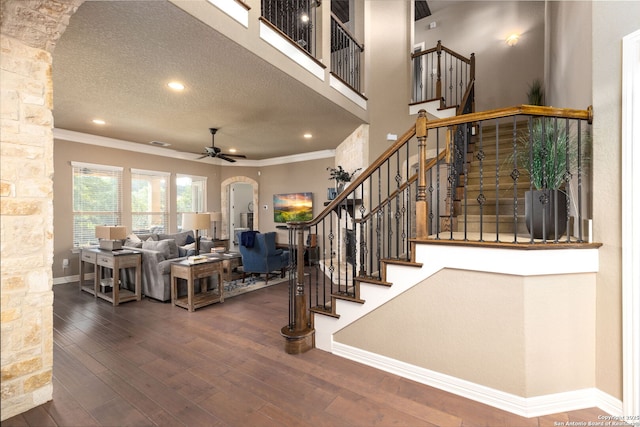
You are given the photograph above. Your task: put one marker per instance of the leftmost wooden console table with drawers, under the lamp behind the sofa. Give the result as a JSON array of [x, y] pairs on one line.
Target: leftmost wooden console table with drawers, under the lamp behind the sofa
[[114, 260]]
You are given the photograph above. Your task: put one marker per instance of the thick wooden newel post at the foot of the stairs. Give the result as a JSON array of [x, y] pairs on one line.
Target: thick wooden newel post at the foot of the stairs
[[298, 335]]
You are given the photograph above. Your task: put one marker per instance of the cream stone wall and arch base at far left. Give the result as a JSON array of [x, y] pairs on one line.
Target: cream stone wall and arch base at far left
[[29, 32]]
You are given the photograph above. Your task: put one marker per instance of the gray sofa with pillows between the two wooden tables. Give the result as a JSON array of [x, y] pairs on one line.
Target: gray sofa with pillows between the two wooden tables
[[158, 252]]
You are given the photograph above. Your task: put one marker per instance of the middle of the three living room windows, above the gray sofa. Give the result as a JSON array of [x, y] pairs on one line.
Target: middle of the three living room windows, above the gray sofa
[[149, 201]]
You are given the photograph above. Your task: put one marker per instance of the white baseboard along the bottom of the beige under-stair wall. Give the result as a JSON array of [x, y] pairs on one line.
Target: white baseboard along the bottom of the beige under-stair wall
[[525, 407]]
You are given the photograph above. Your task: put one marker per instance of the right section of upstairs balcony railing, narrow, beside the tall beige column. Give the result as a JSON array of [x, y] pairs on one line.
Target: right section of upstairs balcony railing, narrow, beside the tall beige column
[[346, 55]]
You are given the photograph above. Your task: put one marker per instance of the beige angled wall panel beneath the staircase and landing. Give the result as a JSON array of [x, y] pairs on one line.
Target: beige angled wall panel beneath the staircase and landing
[[529, 336]]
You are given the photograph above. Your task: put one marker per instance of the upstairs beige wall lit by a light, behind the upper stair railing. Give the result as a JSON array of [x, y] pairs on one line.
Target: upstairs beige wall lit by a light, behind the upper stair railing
[[502, 72]]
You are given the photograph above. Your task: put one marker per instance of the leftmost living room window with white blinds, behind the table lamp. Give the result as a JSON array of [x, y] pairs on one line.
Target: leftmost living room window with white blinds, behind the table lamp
[[97, 200]]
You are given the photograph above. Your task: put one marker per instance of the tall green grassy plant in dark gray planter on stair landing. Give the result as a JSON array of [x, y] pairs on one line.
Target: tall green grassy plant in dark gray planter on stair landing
[[550, 154]]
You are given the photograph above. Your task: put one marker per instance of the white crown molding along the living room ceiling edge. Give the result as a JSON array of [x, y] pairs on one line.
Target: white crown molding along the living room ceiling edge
[[120, 144]]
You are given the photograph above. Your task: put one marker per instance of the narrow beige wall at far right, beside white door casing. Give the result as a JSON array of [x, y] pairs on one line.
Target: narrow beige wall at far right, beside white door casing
[[611, 21]]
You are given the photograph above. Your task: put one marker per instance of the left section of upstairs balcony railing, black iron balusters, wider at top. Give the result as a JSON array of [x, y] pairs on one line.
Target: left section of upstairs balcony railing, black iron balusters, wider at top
[[295, 18]]
